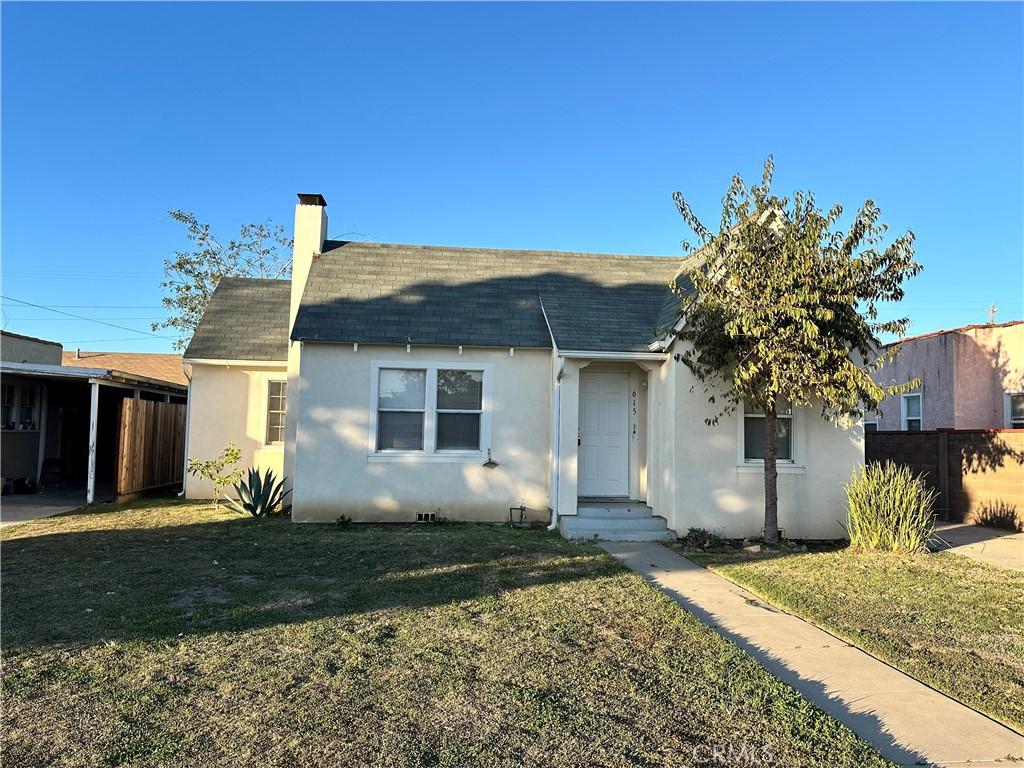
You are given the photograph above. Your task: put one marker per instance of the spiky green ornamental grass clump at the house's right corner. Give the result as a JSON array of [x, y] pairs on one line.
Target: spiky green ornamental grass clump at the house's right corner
[[889, 508]]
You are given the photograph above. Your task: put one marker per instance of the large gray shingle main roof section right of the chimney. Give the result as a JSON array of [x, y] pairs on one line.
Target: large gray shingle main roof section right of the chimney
[[392, 294]]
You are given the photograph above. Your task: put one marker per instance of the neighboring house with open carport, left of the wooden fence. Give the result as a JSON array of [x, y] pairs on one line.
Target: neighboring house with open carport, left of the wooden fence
[[60, 424]]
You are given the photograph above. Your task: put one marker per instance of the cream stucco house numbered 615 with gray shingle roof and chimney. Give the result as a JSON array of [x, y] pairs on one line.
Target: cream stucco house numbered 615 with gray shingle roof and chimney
[[392, 381]]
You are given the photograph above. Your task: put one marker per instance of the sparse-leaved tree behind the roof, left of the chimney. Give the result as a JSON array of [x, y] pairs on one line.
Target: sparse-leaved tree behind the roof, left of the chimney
[[260, 251]]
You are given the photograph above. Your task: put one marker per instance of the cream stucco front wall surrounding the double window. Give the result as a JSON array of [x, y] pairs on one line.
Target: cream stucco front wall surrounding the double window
[[334, 476]]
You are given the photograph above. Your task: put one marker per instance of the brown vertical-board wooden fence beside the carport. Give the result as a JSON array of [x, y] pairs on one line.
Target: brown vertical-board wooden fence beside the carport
[[151, 447]]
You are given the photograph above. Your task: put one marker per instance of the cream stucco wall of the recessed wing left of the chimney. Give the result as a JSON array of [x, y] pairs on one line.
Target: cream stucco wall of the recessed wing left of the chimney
[[230, 404]]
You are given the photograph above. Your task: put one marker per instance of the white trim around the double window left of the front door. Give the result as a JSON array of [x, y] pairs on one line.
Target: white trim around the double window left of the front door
[[430, 454]]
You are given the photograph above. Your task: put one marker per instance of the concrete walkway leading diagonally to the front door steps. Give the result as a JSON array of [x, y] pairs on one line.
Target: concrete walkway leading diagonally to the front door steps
[[907, 721]]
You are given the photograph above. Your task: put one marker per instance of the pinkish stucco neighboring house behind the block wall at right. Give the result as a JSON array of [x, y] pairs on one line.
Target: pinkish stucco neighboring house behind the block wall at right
[[971, 378]]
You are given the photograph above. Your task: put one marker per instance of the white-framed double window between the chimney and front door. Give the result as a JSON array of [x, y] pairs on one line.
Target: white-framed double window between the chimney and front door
[[433, 410]]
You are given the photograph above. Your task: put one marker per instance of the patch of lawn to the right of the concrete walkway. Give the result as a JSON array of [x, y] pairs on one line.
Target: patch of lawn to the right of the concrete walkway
[[953, 623]]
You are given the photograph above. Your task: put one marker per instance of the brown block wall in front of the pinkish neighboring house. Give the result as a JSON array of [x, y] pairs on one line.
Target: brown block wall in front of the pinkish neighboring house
[[978, 474]]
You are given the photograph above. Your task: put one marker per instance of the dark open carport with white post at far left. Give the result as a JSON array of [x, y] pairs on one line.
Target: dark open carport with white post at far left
[[63, 425]]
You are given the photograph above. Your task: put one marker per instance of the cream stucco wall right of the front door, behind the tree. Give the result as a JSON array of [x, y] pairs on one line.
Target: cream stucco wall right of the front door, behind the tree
[[703, 484]]
